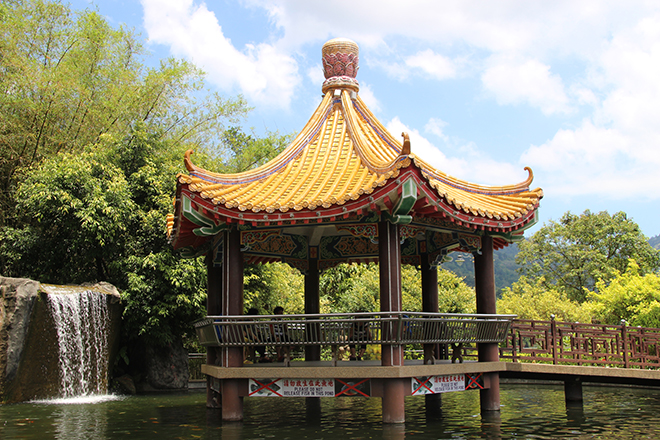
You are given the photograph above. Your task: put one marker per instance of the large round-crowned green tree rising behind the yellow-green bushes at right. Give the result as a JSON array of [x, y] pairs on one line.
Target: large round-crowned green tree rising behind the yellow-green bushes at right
[[576, 252]]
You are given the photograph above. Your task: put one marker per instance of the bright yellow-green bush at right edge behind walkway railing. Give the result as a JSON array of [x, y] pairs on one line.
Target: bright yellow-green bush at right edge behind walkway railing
[[629, 296]]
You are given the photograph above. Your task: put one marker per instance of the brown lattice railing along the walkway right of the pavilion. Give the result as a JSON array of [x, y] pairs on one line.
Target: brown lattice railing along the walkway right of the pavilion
[[564, 343]]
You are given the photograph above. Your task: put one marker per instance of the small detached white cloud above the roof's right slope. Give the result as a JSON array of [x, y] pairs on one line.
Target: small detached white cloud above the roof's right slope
[[530, 81]]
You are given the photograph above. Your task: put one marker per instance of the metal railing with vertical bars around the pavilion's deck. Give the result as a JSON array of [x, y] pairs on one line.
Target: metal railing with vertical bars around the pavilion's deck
[[355, 328]]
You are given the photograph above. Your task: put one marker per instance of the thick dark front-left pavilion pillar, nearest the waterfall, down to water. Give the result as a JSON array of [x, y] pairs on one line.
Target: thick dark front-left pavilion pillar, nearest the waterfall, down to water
[[232, 304]]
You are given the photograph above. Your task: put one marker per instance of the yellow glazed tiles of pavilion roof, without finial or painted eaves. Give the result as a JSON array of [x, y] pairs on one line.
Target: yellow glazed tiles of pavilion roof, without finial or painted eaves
[[342, 153]]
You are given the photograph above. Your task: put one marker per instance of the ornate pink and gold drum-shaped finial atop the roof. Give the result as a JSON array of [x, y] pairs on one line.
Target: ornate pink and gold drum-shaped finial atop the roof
[[340, 64]]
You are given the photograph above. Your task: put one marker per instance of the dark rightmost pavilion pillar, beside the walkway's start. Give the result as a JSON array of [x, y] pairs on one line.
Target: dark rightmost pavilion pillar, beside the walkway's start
[[484, 275]]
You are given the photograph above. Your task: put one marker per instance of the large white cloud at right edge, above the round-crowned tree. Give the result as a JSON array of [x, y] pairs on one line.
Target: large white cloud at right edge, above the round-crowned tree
[[612, 153]]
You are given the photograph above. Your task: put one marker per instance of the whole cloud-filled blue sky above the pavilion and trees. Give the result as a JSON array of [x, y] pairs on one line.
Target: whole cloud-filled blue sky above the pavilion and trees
[[568, 88]]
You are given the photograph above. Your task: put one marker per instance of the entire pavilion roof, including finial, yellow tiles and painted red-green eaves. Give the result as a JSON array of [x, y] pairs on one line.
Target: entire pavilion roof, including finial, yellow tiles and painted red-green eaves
[[344, 163]]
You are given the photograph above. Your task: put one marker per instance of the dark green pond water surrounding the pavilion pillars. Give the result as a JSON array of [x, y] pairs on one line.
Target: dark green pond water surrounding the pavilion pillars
[[537, 412]]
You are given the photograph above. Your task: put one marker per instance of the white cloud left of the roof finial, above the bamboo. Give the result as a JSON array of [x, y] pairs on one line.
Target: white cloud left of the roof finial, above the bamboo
[[262, 72]]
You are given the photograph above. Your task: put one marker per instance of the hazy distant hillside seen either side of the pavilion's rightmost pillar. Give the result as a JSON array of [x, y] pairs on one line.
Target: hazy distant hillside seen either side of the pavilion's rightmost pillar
[[504, 262]]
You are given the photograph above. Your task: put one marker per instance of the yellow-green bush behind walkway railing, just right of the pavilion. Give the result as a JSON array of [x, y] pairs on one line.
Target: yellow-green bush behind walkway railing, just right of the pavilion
[[531, 299]]
